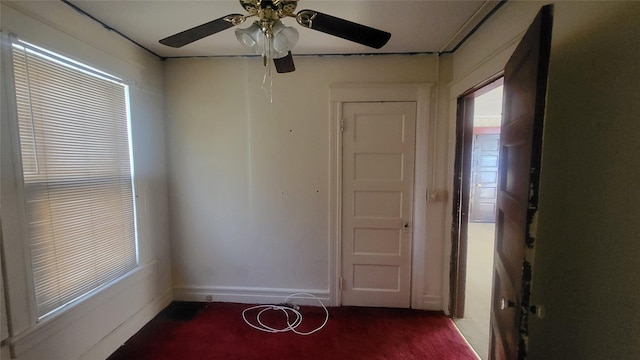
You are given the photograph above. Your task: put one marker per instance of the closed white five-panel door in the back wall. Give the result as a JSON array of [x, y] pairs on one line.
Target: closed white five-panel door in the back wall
[[378, 146]]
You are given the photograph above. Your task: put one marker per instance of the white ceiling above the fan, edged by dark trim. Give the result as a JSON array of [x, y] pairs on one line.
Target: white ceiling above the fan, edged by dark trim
[[417, 26]]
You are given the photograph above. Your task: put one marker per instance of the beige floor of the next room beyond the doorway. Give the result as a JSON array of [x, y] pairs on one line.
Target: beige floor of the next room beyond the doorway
[[475, 324]]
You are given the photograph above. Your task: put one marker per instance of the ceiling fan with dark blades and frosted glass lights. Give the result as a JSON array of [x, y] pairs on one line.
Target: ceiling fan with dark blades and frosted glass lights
[[268, 36]]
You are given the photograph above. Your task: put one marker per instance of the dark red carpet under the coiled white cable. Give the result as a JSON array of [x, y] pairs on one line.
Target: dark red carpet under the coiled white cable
[[190, 331]]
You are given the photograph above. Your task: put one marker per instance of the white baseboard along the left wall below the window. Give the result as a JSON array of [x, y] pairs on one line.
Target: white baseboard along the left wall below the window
[[122, 333]]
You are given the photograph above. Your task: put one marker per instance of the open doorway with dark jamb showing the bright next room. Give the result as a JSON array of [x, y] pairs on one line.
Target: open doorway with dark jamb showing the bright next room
[[479, 121]]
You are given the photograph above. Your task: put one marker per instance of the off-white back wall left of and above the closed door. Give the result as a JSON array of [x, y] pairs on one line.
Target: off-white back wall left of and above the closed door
[[250, 180]]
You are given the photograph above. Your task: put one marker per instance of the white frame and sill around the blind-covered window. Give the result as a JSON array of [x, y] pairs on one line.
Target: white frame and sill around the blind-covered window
[[18, 272]]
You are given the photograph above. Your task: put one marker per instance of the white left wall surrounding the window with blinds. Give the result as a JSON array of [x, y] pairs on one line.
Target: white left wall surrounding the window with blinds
[[97, 326]]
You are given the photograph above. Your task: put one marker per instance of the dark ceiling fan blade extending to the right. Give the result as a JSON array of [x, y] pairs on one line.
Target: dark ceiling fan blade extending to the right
[[343, 28]]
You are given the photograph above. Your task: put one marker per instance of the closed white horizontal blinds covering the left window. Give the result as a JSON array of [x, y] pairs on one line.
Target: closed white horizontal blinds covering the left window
[[78, 185]]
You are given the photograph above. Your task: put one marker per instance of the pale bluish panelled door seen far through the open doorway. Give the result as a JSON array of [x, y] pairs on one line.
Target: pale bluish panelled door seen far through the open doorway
[[484, 177]]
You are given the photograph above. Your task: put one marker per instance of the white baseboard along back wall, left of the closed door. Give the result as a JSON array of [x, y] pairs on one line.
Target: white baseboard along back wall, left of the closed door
[[247, 295]]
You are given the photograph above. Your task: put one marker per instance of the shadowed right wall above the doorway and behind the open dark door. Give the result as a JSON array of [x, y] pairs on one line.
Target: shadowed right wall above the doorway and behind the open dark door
[[587, 249]]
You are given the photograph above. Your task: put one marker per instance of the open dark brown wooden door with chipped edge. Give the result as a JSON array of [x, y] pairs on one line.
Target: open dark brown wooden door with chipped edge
[[525, 82]]
